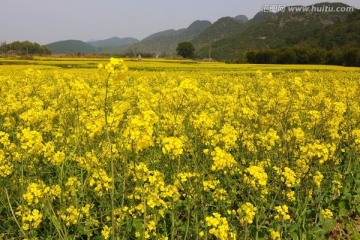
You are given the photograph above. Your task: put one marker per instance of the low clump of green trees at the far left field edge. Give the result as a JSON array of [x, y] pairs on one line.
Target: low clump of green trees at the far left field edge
[[23, 48]]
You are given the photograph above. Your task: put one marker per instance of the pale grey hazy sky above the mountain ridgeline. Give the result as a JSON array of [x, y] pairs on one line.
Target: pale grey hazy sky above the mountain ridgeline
[[46, 21]]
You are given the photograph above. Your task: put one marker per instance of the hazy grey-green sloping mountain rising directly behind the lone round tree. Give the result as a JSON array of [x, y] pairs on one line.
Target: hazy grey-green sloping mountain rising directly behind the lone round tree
[[165, 42]]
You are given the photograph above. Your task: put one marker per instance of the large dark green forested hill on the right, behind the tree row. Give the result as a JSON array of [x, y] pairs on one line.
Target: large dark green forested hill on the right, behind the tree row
[[267, 30]]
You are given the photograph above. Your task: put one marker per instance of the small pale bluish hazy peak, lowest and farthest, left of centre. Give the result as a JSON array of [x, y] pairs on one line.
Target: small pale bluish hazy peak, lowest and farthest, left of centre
[[112, 45]]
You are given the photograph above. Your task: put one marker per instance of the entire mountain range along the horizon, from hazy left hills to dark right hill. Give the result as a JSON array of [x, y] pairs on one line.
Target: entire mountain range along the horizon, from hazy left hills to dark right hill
[[229, 38]]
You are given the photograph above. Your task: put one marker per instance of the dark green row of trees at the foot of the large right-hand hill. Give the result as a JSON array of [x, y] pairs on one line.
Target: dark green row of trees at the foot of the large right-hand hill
[[299, 55]]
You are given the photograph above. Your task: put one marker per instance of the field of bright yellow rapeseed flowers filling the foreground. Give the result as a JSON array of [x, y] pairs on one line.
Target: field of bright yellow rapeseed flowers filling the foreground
[[171, 150]]
